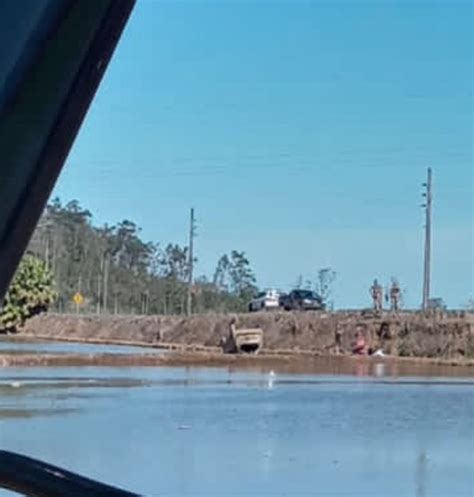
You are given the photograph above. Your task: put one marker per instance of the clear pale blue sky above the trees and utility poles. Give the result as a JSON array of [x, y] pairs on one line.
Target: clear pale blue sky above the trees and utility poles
[[299, 131]]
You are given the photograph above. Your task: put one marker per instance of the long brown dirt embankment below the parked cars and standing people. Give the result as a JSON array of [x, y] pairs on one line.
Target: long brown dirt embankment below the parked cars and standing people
[[447, 336]]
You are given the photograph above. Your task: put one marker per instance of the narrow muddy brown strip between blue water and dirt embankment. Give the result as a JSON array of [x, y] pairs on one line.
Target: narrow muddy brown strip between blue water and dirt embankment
[[289, 364]]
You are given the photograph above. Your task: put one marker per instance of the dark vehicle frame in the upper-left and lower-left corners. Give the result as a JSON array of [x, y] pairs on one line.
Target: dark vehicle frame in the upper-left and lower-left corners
[[53, 54]]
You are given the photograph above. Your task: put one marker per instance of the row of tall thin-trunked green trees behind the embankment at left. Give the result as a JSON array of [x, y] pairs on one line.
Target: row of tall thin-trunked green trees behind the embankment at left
[[118, 272]]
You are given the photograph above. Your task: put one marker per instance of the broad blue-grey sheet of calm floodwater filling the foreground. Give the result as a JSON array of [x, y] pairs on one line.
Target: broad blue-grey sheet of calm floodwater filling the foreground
[[216, 432]]
